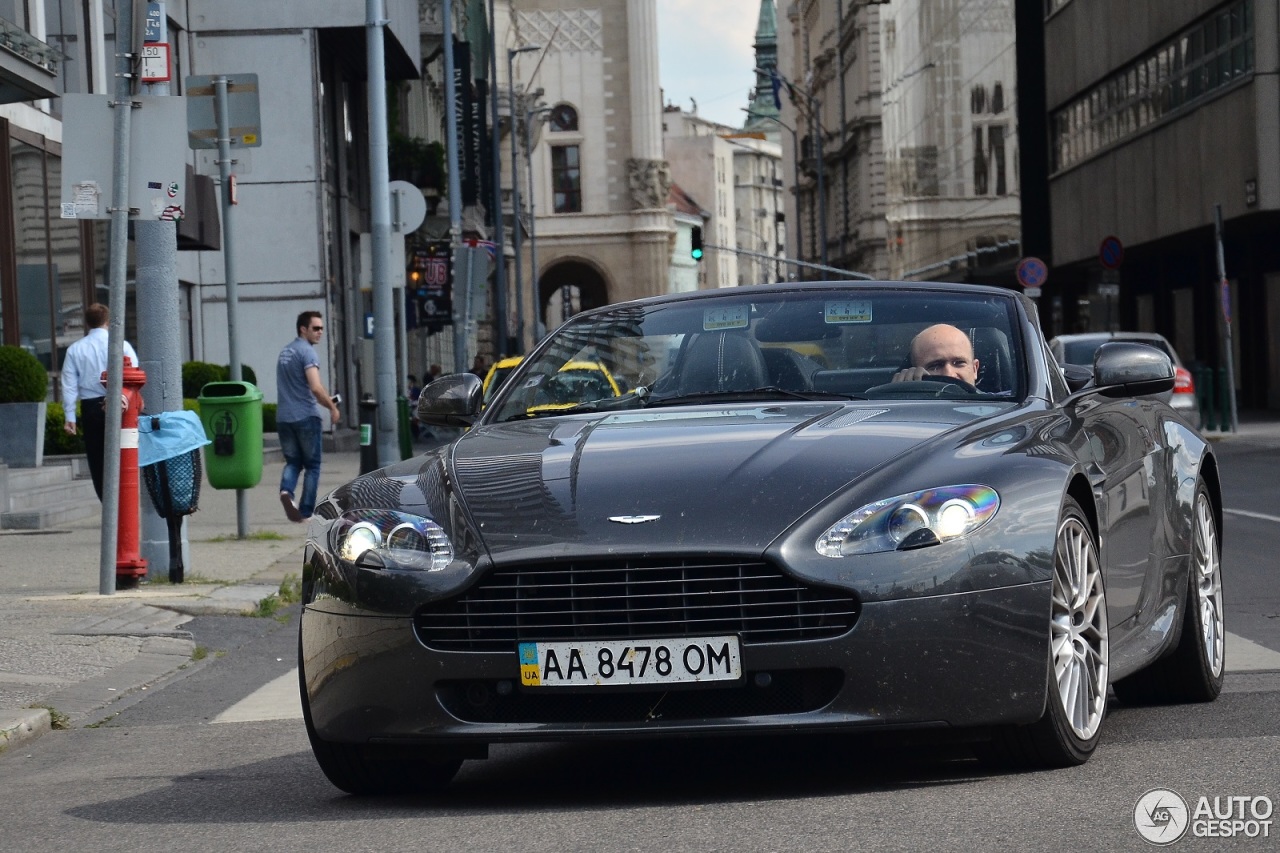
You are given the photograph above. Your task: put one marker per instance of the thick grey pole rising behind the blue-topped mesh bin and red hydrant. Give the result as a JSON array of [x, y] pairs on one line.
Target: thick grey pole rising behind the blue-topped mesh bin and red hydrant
[[159, 343]]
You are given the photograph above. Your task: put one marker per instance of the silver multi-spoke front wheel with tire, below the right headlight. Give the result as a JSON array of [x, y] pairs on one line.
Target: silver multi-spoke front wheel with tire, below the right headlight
[[1078, 660]]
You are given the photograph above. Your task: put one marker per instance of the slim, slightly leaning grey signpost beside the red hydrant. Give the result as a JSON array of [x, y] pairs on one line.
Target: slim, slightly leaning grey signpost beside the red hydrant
[[117, 302]]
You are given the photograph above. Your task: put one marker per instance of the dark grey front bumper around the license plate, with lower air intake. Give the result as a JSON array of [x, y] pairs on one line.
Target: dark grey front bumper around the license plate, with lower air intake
[[961, 660]]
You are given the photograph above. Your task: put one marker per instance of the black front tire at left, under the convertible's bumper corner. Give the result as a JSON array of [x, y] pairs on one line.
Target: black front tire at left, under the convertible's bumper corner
[[359, 769]]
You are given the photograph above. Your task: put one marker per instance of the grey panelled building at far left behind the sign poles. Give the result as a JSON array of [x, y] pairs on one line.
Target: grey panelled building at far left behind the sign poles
[[303, 195]]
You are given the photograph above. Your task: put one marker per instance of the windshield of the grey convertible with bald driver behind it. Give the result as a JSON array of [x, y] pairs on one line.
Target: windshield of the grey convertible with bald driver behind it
[[757, 344]]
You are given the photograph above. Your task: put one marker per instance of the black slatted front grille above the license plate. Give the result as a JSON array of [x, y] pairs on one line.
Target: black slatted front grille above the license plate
[[644, 600]]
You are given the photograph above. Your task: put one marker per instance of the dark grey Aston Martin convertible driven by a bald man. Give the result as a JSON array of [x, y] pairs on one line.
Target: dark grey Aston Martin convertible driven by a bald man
[[767, 527]]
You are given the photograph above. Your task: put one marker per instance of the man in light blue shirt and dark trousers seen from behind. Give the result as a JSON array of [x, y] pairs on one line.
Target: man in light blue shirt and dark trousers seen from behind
[[83, 380]]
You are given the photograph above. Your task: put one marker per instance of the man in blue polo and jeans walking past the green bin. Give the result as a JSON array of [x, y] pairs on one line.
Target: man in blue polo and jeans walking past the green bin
[[300, 403]]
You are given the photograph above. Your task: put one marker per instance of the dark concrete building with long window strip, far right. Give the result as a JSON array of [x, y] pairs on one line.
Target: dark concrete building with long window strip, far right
[[1153, 130]]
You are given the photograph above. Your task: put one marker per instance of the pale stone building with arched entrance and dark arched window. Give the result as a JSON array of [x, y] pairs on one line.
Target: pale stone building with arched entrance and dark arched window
[[597, 175]]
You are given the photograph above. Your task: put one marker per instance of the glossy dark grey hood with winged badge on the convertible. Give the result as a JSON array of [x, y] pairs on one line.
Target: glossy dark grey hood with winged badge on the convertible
[[725, 478]]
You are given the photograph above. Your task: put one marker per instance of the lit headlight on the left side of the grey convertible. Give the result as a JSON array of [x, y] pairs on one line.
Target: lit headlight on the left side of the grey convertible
[[391, 540]]
